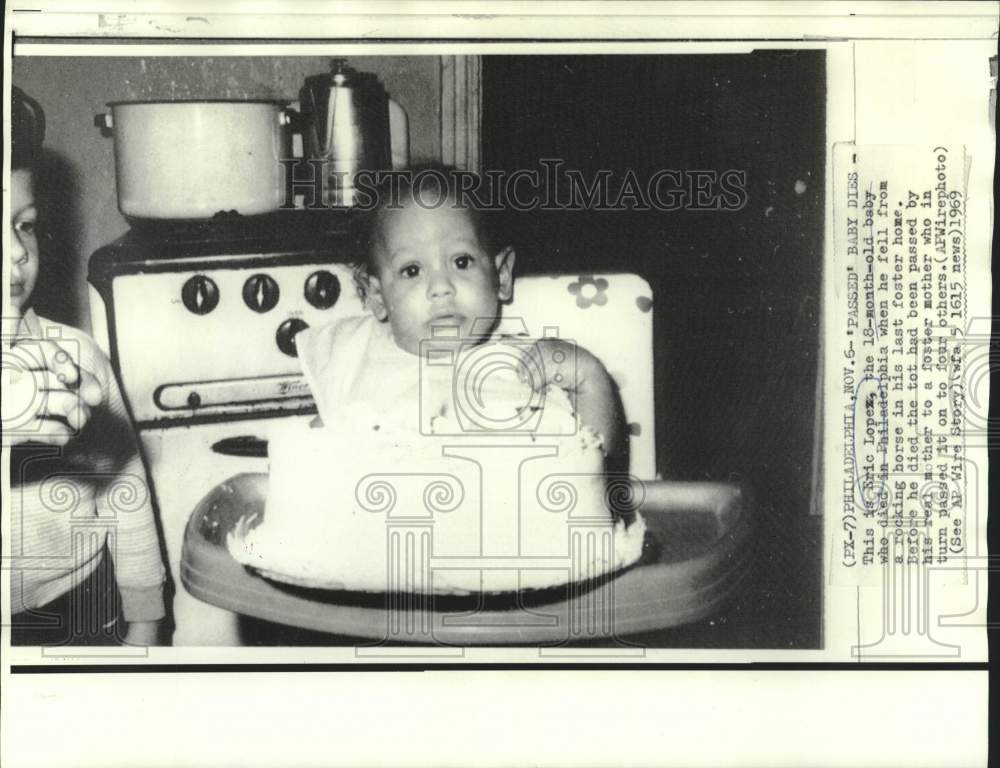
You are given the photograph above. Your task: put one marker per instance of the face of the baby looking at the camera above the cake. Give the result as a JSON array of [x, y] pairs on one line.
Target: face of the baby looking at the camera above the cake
[[432, 270]]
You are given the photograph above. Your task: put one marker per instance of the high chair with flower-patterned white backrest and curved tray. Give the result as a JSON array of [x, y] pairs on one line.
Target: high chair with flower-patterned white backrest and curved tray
[[697, 533]]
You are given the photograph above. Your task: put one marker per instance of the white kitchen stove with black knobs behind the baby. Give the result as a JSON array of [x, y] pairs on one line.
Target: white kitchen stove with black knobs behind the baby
[[199, 320]]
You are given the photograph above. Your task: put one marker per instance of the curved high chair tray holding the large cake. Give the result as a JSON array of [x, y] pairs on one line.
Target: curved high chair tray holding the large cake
[[695, 554]]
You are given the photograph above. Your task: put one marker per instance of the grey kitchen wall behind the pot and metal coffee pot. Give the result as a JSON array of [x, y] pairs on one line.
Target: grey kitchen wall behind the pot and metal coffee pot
[[82, 206]]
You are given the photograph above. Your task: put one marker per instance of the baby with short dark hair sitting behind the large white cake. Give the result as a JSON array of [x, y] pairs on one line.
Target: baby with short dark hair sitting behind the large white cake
[[426, 266]]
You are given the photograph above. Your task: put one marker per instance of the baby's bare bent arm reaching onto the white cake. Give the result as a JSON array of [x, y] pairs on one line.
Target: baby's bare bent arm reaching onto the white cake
[[588, 384]]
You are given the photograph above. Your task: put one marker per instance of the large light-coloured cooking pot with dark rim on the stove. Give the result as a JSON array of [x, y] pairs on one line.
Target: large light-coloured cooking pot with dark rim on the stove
[[193, 159]]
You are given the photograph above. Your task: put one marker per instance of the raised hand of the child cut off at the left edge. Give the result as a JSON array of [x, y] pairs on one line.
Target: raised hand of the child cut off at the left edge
[[60, 392]]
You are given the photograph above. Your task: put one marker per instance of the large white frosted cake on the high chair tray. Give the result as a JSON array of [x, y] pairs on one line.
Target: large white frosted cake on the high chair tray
[[370, 502]]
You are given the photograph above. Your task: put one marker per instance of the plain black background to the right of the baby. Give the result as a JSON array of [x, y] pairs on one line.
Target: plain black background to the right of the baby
[[736, 293]]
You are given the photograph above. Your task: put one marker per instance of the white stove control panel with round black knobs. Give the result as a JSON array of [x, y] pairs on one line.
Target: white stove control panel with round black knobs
[[215, 337]]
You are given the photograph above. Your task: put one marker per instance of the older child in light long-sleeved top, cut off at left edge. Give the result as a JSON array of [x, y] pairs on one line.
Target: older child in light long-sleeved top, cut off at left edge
[[76, 475]]
